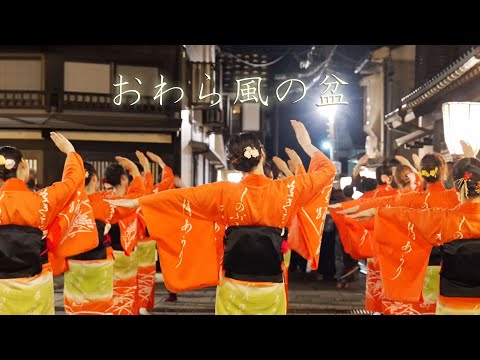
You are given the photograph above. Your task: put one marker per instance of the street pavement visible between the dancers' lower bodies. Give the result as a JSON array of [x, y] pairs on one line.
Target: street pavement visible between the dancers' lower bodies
[[308, 295]]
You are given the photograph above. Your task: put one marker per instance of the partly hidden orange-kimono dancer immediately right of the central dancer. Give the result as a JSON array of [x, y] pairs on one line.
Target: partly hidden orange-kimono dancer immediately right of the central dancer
[[353, 235]]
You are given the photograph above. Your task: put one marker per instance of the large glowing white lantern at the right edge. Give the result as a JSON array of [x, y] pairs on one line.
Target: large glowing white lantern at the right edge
[[461, 121]]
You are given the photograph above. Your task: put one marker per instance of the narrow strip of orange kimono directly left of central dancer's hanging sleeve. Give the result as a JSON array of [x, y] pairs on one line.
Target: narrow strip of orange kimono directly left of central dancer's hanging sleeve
[[147, 246]]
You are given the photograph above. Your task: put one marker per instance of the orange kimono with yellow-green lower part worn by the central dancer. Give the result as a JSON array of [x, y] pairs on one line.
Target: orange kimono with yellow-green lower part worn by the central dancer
[[186, 237]]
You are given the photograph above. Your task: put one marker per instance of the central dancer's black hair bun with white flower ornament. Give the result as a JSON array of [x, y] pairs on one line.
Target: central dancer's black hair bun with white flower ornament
[[236, 149]]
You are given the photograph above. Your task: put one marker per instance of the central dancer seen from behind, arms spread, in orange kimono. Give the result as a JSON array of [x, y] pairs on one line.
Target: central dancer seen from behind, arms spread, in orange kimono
[[256, 212]]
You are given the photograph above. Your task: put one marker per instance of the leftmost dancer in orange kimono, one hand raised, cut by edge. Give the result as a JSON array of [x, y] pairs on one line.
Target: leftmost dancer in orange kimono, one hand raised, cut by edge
[[53, 223]]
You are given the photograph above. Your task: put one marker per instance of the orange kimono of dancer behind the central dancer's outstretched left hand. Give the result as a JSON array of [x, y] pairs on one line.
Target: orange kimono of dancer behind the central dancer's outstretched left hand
[[123, 233]]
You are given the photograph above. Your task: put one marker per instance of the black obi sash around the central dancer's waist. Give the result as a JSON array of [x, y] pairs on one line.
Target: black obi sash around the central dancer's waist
[[252, 253]]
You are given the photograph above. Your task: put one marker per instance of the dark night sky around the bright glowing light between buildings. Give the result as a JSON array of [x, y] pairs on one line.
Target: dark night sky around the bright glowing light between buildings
[[342, 63]]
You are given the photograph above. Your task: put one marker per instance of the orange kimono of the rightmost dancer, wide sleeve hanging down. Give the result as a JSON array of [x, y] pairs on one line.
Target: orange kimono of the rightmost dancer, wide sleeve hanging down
[[406, 265]]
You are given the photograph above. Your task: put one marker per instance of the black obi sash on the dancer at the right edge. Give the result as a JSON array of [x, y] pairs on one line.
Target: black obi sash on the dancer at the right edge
[[460, 272]]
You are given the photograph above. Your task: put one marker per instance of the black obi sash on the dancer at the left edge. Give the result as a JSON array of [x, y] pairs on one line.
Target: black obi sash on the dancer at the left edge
[[22, 251]]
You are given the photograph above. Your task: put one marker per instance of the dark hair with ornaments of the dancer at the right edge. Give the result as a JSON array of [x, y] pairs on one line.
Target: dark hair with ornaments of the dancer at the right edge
[[466, 173]]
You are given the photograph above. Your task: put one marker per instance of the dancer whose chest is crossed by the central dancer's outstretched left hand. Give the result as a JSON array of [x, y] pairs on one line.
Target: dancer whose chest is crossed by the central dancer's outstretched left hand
[[121, 224]]
